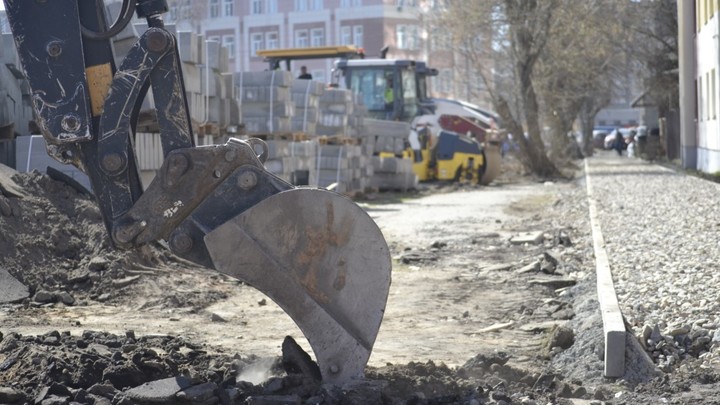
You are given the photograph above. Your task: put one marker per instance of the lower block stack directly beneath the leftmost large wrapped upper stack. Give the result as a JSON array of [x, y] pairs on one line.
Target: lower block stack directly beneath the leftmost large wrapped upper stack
[[294, 162]]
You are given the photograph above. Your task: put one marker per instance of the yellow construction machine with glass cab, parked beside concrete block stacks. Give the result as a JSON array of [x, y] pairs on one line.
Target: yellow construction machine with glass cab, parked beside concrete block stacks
[[447, 152]]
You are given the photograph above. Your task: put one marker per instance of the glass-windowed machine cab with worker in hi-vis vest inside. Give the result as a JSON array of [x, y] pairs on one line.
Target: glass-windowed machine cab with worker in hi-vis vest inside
[[388, 88]]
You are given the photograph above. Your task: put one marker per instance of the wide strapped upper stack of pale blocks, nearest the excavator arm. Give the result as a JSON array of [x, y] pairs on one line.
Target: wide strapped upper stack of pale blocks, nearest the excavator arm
[[265, 101]]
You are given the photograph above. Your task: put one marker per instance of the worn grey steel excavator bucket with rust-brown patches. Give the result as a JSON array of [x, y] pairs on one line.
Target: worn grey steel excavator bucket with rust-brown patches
[[323, 260]]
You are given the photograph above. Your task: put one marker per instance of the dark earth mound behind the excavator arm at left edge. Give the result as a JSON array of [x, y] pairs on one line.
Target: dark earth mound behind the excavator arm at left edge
[[55, 243]]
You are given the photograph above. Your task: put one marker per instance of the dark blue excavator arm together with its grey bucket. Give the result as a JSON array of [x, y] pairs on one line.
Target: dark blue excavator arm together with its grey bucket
[[314, 252]]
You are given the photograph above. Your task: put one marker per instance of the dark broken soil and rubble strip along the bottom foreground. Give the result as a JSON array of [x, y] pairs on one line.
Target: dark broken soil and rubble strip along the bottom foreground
[[103, 368]]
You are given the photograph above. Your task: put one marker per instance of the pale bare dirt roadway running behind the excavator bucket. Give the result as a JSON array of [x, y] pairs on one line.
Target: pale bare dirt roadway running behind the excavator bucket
[[441, 302]]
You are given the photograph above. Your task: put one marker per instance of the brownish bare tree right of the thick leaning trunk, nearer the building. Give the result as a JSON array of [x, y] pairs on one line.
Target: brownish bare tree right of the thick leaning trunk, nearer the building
[[578, 68]]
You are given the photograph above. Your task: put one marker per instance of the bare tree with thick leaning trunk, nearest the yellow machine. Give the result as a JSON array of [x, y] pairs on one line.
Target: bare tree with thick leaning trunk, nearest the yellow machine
[[520, 31]]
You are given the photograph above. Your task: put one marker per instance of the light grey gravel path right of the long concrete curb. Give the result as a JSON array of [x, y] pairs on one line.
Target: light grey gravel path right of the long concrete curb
[[662, 233]]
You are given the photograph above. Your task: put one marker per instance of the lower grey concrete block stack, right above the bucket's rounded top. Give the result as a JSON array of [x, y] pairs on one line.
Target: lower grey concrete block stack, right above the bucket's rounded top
[[342, 168]]
